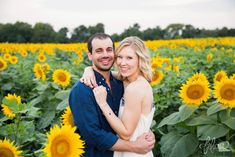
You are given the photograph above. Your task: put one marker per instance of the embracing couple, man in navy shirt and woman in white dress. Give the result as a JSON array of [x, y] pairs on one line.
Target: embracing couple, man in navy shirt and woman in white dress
[[113, 111]]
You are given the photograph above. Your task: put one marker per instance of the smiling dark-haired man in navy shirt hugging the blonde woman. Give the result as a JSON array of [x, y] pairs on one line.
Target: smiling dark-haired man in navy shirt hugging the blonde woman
[[100, 139]]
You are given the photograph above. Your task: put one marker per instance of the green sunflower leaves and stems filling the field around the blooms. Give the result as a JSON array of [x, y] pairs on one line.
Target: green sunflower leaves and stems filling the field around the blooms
[[181, 130]]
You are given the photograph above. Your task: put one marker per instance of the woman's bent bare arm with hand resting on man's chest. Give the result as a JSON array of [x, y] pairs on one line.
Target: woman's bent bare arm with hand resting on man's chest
[[125, 126]]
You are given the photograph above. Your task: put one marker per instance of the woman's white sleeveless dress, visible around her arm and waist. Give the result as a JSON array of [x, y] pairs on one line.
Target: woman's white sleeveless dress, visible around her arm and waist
[[143, 126]]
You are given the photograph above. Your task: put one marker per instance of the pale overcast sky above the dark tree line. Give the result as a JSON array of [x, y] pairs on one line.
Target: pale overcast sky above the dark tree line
[[120, 14]]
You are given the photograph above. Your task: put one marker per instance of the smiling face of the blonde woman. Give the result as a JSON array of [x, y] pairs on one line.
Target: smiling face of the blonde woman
[[127, 62]]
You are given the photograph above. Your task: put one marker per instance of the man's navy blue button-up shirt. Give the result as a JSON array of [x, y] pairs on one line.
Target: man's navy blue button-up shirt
[[91, 124]]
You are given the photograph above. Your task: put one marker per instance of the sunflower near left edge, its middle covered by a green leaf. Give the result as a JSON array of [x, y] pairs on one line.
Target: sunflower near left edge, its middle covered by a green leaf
[[5, 109]]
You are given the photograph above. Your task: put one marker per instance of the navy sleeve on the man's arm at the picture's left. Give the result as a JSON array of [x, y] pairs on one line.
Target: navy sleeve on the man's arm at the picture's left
[[86, 118]]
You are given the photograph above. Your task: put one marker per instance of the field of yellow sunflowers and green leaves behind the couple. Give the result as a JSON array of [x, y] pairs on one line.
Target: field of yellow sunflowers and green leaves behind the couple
[[193, 85]]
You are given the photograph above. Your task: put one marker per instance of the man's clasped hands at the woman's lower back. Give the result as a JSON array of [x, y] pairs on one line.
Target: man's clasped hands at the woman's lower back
[[144, 143]]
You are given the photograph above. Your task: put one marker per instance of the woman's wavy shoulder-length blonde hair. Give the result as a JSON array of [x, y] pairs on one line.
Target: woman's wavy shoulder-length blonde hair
[[142, 52]]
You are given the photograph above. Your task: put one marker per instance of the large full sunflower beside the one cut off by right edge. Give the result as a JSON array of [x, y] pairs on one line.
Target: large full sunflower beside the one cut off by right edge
[[193, 93]]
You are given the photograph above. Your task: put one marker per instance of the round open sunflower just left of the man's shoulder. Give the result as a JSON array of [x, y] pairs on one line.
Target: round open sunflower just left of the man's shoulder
[[61, 77]]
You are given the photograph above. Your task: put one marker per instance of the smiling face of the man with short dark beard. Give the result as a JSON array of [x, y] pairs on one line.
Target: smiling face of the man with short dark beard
[[102, 55]]
